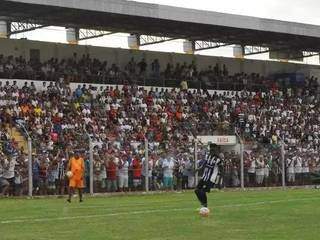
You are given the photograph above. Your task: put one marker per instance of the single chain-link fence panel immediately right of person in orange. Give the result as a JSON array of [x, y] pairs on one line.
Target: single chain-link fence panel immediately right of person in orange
[[117, 167]]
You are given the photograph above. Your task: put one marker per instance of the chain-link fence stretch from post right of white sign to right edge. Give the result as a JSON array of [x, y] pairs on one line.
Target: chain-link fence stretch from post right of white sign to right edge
[[276, 163]]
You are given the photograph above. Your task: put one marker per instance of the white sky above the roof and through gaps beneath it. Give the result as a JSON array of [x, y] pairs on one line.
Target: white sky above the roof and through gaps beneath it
[[304, 11]]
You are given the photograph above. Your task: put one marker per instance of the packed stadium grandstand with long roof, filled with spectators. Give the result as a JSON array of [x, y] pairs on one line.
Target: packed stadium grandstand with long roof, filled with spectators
[[109, 103]]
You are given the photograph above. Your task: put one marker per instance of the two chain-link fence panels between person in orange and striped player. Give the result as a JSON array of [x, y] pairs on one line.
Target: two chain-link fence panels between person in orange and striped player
[[142, 166]]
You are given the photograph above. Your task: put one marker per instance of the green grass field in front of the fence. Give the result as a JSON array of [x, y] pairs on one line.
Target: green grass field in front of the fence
[[276, 214]]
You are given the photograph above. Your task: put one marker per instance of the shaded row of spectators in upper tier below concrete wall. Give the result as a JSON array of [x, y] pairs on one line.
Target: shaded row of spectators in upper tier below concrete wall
[[86, 69]]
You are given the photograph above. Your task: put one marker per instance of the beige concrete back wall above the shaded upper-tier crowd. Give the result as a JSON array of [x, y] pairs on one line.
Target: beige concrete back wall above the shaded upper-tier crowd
[[122, 56]]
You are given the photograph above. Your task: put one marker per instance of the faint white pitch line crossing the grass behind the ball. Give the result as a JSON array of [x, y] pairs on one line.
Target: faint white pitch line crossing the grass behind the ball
[[149, 211]]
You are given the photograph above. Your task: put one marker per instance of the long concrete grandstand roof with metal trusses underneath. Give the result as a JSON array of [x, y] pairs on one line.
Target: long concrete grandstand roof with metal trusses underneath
[[202, 28]]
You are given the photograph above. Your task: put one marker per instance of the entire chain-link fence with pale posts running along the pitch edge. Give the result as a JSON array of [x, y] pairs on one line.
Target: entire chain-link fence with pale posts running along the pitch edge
[[116, 166]]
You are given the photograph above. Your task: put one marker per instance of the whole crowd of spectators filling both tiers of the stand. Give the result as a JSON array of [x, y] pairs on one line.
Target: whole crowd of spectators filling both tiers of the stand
[[118, 120]]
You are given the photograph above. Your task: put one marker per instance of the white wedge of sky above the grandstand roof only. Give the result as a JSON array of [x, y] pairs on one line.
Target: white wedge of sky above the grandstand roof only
[[305, 11]]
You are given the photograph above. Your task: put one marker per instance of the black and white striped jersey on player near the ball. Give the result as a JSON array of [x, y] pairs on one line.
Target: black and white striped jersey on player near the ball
[[211, 168]]
